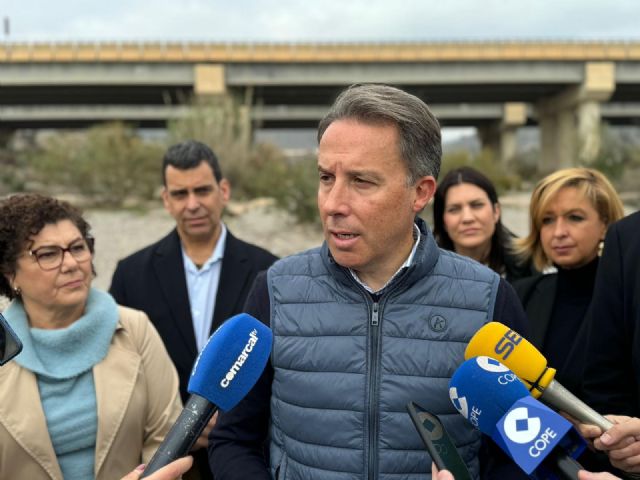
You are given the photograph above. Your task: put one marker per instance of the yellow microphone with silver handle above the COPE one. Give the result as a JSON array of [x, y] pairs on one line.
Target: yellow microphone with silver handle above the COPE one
[[498, 341]]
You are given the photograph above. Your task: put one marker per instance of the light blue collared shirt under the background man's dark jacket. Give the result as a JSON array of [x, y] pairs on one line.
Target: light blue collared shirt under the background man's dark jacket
[[202, 285]]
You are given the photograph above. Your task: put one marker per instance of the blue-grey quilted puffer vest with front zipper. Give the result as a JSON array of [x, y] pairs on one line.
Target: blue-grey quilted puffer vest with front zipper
[[345, 366]]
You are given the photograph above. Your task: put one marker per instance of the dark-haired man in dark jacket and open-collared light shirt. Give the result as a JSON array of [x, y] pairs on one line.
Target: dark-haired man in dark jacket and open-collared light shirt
[[197, 276]]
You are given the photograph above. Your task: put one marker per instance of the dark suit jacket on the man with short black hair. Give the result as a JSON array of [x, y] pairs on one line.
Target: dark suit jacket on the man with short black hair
[[153, 280]]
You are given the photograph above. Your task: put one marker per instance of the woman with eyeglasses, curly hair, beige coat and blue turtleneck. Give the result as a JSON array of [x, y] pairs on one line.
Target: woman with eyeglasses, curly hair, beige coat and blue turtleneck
[[93, 392]]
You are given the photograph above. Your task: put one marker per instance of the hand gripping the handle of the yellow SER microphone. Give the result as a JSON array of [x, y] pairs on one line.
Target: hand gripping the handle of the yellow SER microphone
[[622, 443]]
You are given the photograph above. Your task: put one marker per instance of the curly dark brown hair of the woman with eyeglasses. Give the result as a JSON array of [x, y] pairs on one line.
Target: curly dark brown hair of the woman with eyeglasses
[[23, 216]]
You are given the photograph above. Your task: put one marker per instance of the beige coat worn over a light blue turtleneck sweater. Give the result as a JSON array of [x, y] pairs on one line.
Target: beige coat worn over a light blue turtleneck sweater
[[137, 397]]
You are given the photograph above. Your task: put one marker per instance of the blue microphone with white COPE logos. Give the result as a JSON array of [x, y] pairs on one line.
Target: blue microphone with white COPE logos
[[497, 403]]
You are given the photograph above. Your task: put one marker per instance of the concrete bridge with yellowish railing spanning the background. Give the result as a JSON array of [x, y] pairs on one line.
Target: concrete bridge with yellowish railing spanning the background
[[566, 88]]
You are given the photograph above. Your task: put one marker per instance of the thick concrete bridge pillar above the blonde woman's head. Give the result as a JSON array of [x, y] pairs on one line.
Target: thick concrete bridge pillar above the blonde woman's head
[[570, 121]]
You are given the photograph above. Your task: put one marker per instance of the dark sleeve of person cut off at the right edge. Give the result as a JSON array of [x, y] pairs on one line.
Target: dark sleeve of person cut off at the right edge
[[612, 366]]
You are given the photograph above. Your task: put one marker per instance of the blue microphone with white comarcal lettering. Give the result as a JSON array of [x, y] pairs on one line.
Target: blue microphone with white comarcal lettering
[[226, 369]]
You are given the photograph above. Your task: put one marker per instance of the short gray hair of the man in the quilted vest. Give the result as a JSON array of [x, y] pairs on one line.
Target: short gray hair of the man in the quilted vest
[[420, 141]]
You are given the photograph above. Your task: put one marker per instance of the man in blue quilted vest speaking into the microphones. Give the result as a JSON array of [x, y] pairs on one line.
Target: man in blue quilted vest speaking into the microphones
[[375, 317]]
